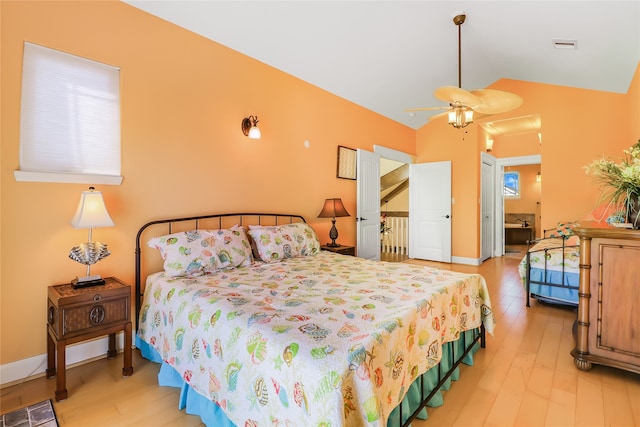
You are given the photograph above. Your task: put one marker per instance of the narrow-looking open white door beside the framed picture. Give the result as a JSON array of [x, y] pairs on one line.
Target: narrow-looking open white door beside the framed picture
[[368, 209]]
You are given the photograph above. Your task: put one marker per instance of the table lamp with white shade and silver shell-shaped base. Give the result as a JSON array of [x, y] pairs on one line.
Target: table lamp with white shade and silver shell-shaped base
[[91, 213]]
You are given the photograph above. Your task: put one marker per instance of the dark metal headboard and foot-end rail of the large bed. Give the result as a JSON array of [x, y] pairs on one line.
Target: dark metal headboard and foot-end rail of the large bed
[[277, 219]]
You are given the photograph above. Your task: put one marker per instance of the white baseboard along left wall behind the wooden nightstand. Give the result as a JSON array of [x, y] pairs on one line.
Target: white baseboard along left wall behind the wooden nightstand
[[77, 354]]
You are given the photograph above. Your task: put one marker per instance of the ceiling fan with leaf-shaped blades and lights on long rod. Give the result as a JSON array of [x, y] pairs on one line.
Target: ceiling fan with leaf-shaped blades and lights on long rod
[[463, 103]]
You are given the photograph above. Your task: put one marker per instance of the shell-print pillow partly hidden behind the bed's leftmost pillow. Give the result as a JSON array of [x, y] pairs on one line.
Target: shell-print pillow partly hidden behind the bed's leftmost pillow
[[232, 248]]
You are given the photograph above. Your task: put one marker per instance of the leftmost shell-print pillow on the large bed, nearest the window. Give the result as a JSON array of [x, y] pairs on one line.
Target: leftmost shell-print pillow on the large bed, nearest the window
[[187, 253]]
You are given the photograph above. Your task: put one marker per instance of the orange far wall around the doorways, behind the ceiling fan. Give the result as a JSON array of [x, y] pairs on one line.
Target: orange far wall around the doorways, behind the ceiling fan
[[578, 126]]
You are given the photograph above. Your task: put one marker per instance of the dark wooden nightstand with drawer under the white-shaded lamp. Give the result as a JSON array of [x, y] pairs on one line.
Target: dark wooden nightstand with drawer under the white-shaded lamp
[[76, 315]]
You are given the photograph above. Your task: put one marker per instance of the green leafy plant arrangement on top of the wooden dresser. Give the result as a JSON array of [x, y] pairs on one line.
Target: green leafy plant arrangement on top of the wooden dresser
[[622, 180]]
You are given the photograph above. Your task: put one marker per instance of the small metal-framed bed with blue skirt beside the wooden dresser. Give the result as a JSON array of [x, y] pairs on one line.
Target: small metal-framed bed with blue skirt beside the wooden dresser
[[550, 268]]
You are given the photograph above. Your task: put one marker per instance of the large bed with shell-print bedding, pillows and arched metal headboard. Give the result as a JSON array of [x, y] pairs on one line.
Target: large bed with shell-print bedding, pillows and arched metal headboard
[[298, 336]]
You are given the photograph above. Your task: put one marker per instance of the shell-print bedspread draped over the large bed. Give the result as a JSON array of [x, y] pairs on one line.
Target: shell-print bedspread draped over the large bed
[[322, 340]]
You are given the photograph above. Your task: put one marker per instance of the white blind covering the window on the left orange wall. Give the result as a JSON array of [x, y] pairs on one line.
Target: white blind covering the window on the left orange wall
[[70, 119]]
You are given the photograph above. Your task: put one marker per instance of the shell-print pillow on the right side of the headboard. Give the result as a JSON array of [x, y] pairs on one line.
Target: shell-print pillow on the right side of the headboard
[[278, 242]]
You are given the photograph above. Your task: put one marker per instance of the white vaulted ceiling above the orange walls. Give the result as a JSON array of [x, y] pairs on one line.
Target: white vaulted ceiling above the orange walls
[[391, 55]]
